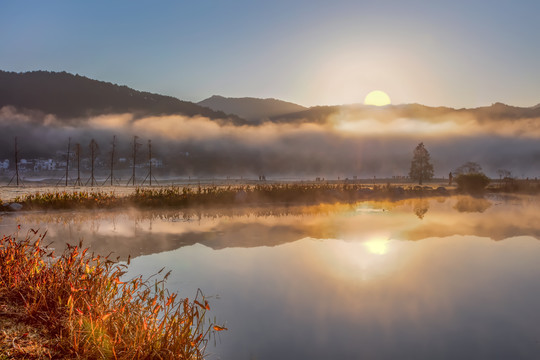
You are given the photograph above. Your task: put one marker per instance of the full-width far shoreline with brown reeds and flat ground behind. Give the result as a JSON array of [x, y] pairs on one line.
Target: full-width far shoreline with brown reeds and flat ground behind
[[245, 194]]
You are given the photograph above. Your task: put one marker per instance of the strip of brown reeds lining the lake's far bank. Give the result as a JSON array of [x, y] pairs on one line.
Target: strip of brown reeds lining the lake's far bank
[[182, 197]]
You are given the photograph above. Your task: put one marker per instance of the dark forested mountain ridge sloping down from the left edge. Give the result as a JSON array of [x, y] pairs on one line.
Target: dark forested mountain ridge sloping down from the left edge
[[70, 96]]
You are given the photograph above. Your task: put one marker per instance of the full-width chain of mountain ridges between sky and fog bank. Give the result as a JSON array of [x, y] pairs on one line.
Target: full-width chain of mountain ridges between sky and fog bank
[[73, 96]]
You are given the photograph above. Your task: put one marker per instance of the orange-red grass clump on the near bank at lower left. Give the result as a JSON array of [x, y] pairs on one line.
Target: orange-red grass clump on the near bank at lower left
[[76, 306]]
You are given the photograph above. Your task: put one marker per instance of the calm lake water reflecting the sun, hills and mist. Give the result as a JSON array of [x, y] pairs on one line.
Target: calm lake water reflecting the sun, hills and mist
[[432, 278]]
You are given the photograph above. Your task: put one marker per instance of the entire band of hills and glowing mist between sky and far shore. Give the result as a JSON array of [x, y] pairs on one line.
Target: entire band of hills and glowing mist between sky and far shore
[[45, 109]]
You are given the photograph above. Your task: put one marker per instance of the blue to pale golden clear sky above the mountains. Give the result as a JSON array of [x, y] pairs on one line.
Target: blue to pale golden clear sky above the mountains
[[460, 53]]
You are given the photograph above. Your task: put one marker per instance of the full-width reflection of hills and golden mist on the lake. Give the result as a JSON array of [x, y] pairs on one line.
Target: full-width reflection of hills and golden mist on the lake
[[142, 233]]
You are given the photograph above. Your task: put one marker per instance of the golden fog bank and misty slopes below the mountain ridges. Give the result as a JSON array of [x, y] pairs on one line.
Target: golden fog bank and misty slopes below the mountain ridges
[[199, 146]]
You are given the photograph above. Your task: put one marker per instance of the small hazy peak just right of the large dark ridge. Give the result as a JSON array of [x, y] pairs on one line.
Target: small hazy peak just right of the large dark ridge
[[251, 108]]
